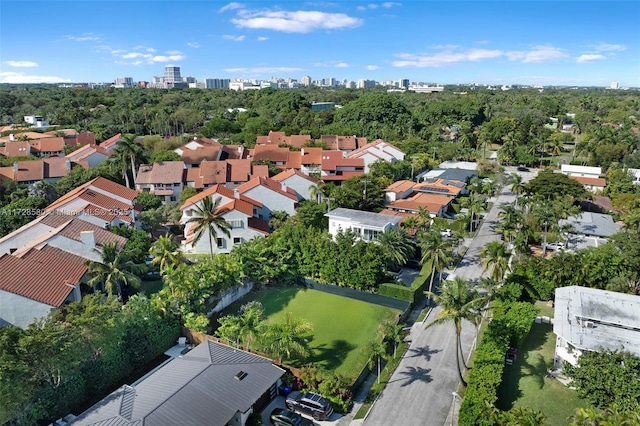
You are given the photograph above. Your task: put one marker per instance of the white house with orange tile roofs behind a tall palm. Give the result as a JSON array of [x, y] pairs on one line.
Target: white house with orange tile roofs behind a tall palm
[[240, 212]]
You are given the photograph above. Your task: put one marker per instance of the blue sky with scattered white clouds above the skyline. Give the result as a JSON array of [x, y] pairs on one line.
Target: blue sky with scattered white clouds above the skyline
[[575, 43]]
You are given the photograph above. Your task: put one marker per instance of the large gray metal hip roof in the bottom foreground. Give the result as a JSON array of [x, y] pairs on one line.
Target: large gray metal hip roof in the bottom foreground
[[196, 389]]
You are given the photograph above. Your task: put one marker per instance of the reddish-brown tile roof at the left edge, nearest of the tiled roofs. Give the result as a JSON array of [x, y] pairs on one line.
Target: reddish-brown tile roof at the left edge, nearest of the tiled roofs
[[47, 276]]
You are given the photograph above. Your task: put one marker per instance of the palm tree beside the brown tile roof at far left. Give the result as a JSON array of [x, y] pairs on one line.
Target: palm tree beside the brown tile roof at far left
[[114, 270]]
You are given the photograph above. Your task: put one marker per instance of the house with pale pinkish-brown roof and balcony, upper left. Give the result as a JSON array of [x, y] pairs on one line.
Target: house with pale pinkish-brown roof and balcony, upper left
[[163, 178]]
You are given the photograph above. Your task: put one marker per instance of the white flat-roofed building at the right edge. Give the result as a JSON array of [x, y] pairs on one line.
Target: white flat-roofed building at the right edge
[[588, 319]]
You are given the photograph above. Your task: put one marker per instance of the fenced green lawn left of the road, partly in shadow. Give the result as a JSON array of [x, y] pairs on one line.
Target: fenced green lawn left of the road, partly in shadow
[[341, 326]]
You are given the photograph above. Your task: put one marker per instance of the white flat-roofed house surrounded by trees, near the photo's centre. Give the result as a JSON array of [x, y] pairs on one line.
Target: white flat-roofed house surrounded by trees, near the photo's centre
[[366, 224]]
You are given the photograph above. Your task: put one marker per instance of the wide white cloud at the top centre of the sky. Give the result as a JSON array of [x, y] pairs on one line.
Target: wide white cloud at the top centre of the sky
[[294, 22]]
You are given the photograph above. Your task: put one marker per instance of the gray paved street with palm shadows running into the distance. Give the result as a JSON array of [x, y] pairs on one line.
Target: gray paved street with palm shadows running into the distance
[[420, 391]]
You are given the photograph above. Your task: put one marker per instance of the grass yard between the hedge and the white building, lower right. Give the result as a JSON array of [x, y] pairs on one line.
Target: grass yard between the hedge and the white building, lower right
[[524, 383]]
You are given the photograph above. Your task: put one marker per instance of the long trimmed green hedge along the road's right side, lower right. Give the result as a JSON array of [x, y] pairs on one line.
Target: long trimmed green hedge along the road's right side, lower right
[[509, 326]]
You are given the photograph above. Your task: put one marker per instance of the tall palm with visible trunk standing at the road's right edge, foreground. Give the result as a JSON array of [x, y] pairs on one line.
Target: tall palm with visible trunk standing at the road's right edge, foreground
[[459, 301]]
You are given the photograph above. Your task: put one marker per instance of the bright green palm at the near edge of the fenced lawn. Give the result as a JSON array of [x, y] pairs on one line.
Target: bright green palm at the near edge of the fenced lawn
[[288, 338]]
